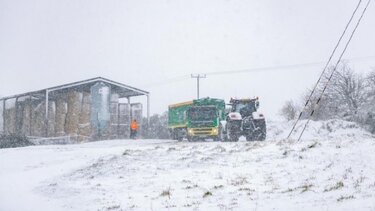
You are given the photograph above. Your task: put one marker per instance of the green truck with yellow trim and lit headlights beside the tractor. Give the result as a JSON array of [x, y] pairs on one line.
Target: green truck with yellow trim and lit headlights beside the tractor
[[196, 119]]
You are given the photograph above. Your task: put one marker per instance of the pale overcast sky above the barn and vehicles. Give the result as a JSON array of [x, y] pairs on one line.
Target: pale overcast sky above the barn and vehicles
[[149, 44]]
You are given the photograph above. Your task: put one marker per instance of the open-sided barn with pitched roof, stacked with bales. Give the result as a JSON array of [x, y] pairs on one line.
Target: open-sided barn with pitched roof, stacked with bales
[[92, 109]]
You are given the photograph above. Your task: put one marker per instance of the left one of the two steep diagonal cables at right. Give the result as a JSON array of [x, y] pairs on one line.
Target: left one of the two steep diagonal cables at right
[[325, 67]]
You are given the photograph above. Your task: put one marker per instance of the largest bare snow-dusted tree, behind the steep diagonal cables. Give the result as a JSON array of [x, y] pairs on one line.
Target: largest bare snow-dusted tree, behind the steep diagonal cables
[[344, 96]]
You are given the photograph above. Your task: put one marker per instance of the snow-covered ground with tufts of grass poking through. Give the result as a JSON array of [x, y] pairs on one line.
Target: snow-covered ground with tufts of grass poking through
[[332, 168]]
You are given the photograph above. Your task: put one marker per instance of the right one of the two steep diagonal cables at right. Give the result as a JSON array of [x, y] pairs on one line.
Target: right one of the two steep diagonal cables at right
[[334, 70]]
